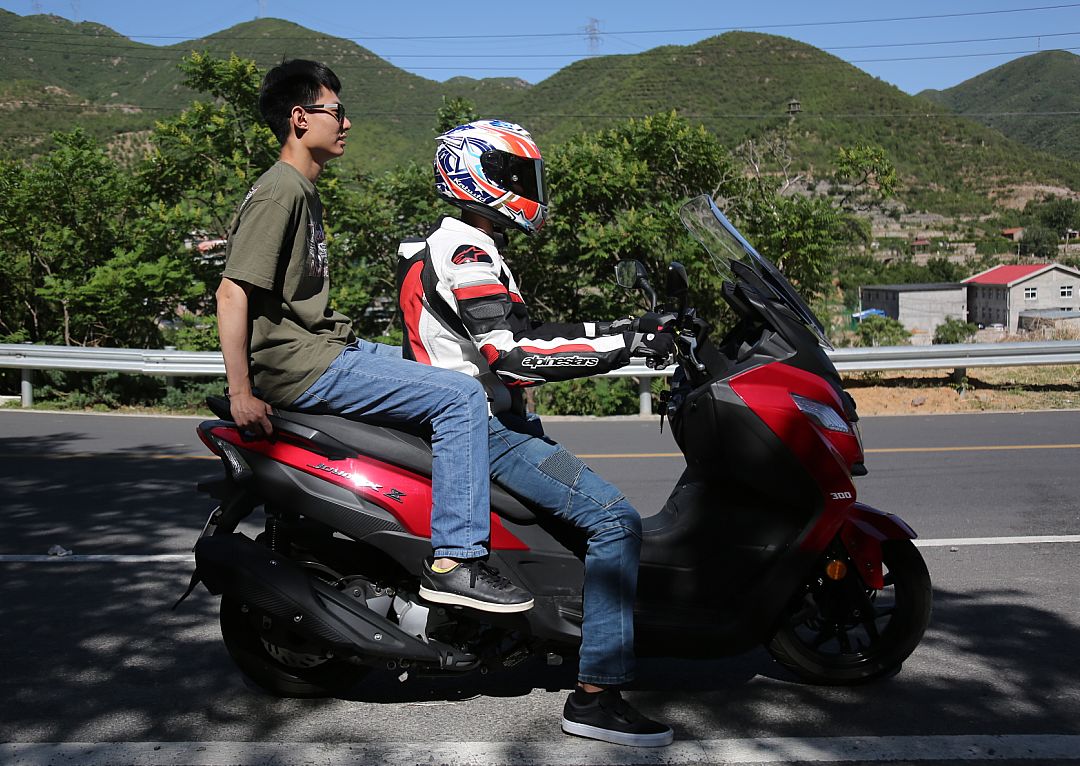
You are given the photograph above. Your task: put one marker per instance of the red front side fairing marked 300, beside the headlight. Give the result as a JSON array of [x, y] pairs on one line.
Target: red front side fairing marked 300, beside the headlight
[[827, 455]]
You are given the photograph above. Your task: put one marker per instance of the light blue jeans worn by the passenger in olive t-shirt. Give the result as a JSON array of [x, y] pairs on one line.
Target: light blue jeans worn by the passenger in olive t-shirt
[[372, 383]]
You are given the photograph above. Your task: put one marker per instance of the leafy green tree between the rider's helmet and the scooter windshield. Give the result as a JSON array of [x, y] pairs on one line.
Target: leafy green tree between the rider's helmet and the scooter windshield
[[616, 196]]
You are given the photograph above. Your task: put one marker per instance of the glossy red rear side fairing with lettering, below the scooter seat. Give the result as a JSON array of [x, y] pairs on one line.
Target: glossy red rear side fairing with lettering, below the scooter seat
[[404, 494]]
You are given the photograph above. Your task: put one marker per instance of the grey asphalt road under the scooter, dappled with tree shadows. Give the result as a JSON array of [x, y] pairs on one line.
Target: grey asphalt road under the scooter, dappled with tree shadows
[[92, 654]]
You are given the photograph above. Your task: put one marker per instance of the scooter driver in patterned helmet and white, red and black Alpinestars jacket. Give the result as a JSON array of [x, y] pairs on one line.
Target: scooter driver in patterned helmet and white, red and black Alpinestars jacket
[[463, 311]]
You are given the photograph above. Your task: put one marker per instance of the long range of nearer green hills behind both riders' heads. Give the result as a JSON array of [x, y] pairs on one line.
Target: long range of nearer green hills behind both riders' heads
[[56, 74]]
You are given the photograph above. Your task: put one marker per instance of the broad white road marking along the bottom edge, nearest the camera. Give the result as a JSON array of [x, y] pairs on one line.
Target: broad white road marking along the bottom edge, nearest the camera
[[563, 752]]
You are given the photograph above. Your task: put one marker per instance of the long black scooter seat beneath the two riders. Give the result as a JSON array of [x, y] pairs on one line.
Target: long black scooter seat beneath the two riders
[[401, 447]]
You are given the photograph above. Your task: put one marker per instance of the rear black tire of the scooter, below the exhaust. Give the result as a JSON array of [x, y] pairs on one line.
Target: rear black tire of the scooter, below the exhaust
[[301, 669]]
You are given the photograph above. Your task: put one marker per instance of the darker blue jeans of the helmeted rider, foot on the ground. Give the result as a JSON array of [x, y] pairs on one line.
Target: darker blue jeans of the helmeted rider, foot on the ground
[[529, 464]]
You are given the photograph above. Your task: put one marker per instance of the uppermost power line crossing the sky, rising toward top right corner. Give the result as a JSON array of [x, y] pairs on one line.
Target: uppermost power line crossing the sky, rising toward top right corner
[[747, 28]]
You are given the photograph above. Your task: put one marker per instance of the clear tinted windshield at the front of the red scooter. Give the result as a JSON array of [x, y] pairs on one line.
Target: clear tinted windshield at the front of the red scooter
[[720, 237]]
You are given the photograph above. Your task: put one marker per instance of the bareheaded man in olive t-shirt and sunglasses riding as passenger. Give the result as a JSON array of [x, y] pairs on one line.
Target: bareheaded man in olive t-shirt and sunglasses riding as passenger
[[274, 305]]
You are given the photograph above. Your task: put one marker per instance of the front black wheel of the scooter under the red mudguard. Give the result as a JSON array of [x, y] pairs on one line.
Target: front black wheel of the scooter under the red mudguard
[[827, 639]]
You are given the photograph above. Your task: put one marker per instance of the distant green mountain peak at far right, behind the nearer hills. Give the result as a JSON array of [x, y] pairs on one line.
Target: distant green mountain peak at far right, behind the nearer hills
[[1005, 99]]
